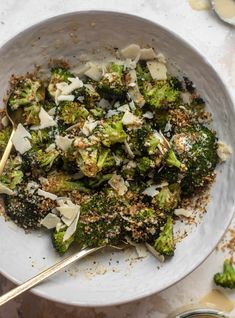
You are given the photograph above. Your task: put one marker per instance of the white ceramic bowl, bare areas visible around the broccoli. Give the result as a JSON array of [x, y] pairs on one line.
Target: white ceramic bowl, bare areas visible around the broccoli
[[77, 36]]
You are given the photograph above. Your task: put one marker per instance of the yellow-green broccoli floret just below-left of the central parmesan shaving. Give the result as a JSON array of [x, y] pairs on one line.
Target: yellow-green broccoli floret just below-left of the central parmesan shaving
[[112, 133]]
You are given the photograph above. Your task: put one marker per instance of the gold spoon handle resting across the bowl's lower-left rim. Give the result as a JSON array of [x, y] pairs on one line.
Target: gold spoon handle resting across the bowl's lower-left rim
[[45, 274]]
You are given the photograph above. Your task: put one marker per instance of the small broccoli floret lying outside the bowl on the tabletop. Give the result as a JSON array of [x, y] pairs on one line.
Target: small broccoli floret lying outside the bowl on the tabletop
[[226, 279]]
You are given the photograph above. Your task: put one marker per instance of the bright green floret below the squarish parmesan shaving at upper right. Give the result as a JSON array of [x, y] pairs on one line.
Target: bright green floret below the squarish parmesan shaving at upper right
[[159, 94]]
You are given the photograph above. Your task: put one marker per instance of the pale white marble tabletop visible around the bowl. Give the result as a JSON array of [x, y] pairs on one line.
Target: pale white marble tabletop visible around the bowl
[[217, 41]]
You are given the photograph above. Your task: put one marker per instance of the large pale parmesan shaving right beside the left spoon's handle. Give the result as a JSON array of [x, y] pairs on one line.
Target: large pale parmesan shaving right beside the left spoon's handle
[[20, 139]]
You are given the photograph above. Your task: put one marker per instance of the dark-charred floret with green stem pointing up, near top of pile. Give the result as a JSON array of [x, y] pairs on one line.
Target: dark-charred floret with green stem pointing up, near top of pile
[[111, 85]]
